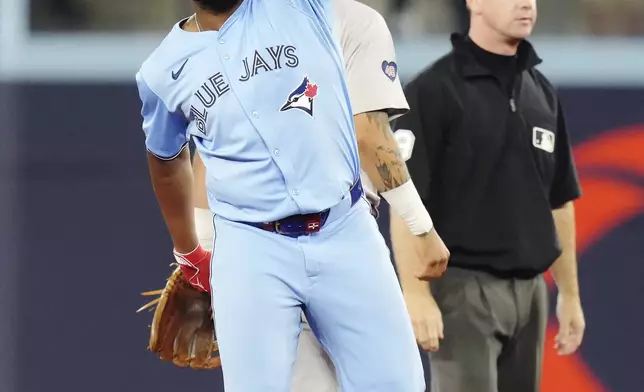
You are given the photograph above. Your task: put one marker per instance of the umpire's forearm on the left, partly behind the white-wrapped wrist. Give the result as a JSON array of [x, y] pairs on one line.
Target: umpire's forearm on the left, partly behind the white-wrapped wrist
[[407, 262]]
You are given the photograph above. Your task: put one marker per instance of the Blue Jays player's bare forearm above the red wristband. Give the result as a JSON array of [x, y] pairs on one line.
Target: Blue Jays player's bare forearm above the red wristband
[[172, 182]]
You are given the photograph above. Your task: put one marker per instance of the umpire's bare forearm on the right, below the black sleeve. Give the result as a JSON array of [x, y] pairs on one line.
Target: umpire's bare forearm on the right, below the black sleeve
[[564, 270]]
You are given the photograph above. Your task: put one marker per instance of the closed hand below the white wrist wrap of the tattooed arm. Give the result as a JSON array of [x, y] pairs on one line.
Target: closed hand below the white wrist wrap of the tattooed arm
[[433, 256]]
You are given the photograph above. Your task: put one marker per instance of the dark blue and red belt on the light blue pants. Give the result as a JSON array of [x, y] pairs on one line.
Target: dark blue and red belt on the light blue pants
[[305, 224]]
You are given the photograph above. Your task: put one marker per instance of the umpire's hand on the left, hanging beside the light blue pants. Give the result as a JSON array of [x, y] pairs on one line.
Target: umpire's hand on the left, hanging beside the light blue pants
[[426, 318]]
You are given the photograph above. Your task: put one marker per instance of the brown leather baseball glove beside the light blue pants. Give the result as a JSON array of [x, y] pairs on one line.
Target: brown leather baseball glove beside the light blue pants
[[182, 329]]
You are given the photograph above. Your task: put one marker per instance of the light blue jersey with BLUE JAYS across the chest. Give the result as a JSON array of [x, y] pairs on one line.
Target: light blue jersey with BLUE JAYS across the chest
[[266, 103]]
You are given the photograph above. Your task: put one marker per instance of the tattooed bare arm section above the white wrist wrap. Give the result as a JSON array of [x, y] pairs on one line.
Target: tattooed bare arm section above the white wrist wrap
[[379, 152]]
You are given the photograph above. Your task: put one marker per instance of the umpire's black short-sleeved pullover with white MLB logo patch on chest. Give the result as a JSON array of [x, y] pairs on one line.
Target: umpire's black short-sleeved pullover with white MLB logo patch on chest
[[491, 158]]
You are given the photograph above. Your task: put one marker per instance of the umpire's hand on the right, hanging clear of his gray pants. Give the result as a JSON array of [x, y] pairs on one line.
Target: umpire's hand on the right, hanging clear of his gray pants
[[571, 324]]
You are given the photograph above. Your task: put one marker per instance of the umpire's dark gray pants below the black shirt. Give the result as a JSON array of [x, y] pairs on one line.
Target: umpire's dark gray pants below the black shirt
[[494, 332]]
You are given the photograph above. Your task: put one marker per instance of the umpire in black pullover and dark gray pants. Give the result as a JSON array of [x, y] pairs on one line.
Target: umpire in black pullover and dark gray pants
[[492, 161]]
